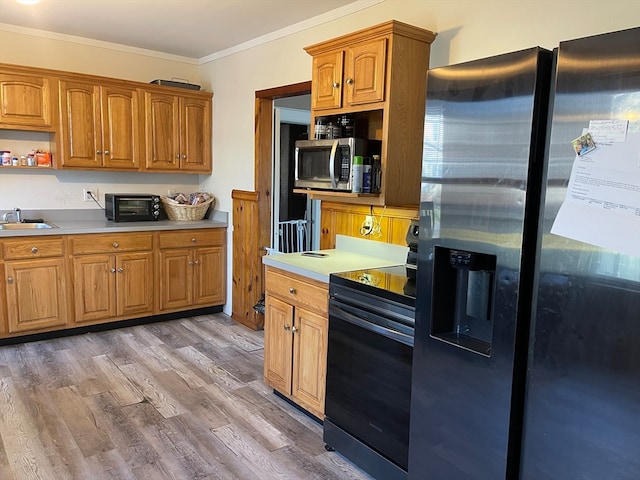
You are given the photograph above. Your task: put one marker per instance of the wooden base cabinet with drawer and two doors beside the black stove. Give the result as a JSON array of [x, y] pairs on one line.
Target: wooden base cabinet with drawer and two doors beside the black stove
[[295, 338]]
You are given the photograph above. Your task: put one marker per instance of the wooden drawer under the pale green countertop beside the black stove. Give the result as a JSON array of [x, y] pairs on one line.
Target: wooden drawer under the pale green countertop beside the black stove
[[296, 291]]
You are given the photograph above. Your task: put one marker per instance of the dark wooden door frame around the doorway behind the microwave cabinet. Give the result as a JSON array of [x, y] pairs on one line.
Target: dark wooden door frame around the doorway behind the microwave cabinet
[[263, 166]]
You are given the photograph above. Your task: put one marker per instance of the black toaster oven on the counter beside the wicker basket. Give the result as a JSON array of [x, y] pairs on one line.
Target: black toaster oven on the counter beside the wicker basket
[[133, 207]]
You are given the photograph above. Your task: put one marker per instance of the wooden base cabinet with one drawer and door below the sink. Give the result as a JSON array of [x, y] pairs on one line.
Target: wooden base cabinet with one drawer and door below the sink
[[35, 284]]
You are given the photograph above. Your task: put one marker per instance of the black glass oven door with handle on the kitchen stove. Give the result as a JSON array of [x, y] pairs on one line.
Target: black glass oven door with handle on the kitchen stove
[[369, 361]]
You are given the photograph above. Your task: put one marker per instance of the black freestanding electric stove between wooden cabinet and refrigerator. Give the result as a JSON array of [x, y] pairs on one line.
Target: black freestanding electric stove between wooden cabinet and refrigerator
[[370, 350]]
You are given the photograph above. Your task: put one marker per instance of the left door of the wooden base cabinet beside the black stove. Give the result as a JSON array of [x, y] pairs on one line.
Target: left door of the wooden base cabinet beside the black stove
[[278, 345]]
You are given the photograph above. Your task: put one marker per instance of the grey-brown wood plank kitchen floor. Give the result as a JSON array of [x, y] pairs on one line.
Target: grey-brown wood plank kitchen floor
[[182, 399]]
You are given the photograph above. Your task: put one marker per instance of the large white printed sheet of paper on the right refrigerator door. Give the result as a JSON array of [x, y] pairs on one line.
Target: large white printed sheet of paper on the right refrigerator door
[[602, 204]]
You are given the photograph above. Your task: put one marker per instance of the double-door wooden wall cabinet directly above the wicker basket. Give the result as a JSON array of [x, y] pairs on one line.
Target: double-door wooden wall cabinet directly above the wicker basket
[[177, 133]]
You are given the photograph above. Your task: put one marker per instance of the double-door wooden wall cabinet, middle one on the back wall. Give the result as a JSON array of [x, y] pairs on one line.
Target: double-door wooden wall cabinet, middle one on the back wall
[[99, 126]]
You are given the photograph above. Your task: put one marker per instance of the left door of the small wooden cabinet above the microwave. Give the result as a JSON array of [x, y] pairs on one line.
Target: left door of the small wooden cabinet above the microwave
[[326, 82]]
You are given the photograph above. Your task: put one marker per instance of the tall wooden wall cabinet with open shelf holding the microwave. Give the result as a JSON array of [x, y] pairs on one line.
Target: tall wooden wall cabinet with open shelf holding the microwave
[[378, 76]]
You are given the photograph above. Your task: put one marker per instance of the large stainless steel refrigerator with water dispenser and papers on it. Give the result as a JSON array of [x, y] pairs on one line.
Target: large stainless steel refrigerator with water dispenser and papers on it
[[527, 342]]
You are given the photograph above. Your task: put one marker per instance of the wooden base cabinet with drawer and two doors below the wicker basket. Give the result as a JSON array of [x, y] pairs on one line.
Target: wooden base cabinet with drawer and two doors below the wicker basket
[[192, 265]]
